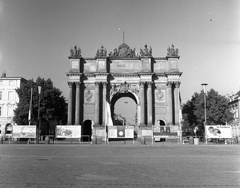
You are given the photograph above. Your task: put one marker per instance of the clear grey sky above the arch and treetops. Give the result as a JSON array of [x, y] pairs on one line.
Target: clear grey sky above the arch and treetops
[[36, 36]]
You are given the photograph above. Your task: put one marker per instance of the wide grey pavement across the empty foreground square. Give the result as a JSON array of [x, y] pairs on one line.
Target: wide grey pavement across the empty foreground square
[[103, 166]]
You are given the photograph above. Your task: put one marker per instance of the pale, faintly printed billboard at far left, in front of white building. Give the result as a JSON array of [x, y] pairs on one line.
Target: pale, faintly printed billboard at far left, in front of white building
[[24, 131]]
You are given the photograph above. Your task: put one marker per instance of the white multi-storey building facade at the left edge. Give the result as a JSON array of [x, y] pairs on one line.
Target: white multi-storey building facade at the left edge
[[8, 100]]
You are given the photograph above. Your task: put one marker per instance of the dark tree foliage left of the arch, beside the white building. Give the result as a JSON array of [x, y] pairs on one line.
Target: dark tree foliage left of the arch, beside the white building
[[52, 104]]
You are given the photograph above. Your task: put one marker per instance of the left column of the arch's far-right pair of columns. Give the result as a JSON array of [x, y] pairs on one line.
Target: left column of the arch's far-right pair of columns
[[169, 104]]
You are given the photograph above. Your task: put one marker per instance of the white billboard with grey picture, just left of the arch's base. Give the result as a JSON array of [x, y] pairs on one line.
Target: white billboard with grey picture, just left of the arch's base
[[68, 131]]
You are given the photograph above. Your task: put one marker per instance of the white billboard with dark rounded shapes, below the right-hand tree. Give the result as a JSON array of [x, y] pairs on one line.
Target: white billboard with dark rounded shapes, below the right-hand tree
[[218, 131]]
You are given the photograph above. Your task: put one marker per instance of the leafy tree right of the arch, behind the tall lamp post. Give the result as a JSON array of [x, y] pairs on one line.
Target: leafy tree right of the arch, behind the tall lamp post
[[217, 110]]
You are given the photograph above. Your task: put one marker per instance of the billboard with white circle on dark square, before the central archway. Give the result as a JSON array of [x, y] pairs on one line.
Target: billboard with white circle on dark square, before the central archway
[[121, 132]]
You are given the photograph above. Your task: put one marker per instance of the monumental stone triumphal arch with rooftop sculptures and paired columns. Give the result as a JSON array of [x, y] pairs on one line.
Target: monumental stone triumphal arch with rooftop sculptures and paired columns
[[95, 84]]
